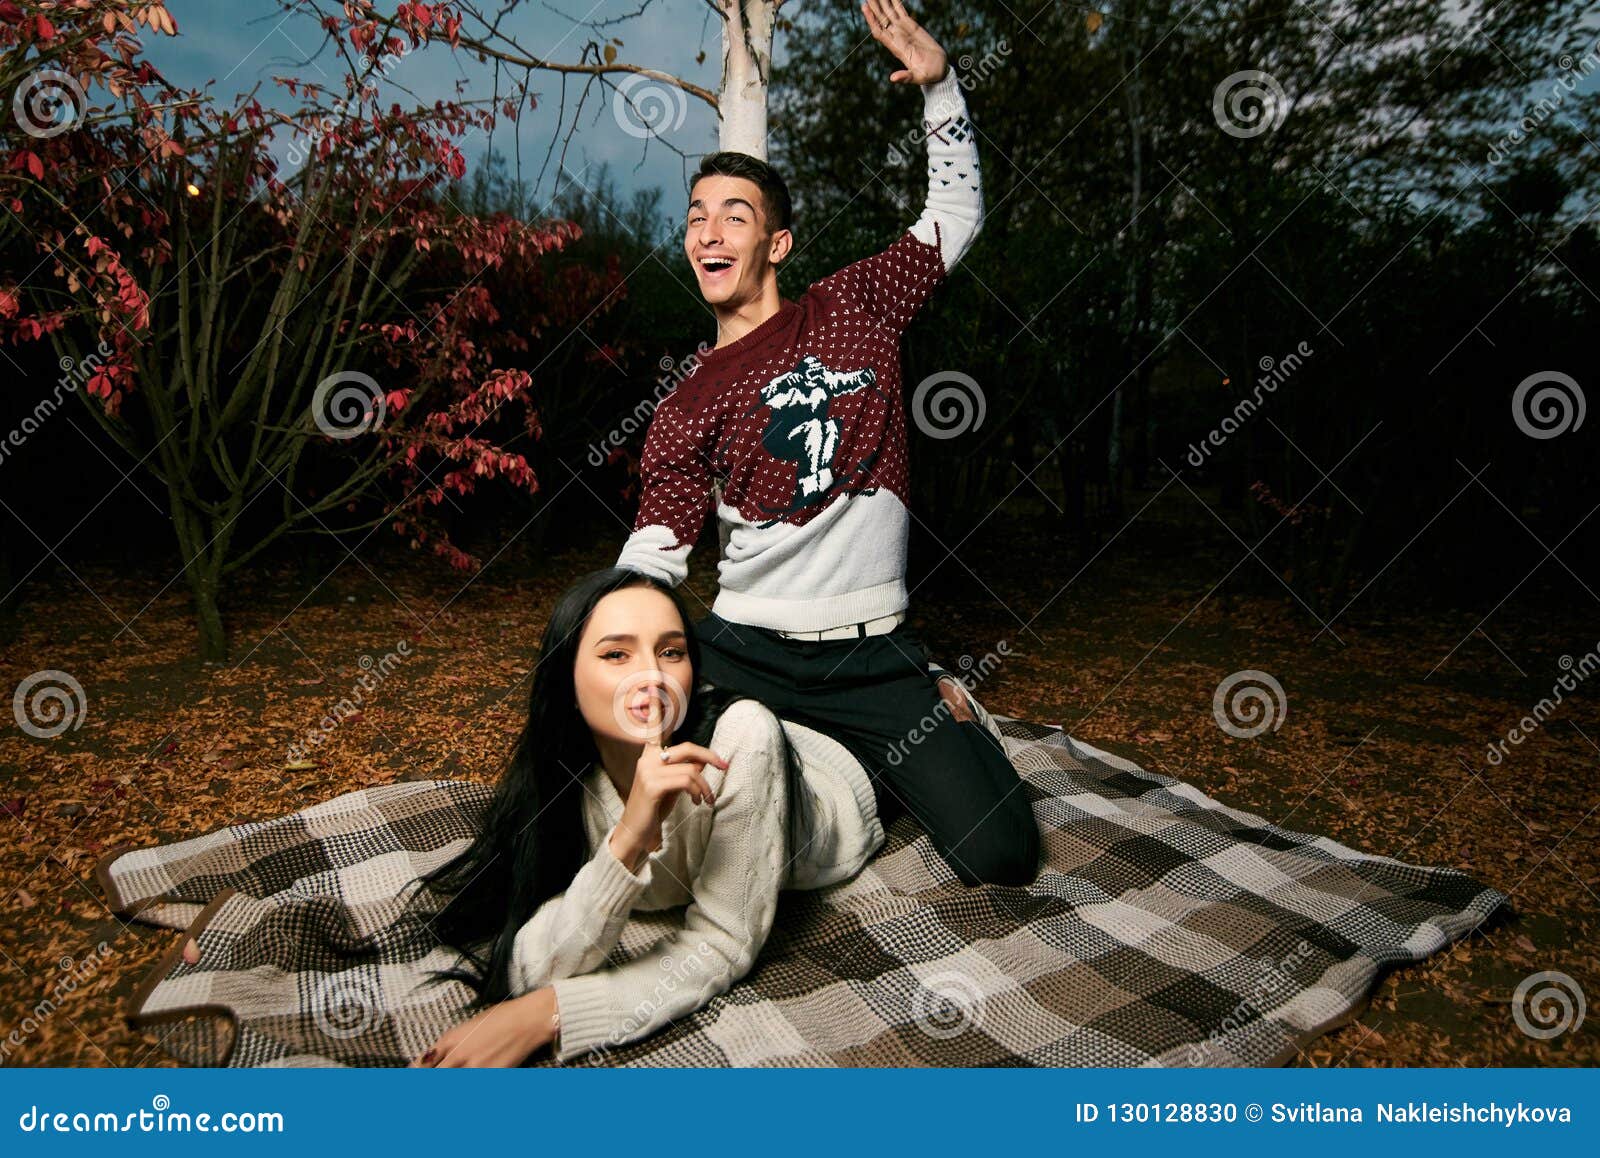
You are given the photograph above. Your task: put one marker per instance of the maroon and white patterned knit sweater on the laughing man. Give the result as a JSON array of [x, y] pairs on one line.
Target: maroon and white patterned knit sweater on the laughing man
[[802, 423]]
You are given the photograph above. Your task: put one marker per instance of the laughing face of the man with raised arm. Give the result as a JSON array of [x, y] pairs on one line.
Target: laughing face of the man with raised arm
[[727, 242]]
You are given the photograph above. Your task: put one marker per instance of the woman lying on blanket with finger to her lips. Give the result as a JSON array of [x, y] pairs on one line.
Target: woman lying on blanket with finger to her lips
[[630, 791]]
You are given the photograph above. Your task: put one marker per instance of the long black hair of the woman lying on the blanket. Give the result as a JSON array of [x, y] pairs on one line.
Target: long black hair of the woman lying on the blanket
[[532, 842]]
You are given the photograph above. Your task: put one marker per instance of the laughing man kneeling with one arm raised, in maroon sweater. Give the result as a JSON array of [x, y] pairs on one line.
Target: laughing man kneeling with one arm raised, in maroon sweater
[[798, 415]]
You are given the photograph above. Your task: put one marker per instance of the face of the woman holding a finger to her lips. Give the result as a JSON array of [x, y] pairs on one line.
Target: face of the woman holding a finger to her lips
[[633, 650]]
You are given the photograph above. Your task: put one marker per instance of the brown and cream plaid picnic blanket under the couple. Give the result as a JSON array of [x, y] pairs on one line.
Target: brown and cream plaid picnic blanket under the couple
[[1164, 930]]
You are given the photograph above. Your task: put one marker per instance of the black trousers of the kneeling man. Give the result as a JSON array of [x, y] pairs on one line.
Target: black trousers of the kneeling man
[[878, 698]]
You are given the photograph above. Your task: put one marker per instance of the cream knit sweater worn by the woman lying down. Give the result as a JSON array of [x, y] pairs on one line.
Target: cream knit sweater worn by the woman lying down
[[726, 863]]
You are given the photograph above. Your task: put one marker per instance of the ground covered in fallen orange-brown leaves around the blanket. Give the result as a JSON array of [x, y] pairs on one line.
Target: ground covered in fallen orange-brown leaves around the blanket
[[1383, 743]]
